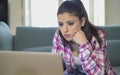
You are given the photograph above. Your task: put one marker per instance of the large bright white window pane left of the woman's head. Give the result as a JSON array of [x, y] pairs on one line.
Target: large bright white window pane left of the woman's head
[[44, 13]]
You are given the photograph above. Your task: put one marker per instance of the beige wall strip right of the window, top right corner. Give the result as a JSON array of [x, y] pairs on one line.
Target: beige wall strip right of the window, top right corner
[[113, 12]]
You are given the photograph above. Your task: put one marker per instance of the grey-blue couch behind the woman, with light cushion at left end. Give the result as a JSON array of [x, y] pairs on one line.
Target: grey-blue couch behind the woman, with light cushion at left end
[[40, 40]]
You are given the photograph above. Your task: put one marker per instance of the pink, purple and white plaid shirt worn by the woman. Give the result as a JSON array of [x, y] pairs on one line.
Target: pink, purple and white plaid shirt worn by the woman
[[93, 57]]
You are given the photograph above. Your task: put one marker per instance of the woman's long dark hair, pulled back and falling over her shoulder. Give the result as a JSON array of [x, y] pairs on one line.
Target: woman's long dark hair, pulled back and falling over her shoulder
[[77, 8]]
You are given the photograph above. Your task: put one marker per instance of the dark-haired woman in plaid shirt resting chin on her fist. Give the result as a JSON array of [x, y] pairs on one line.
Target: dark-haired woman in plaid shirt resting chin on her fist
[[81, 44]]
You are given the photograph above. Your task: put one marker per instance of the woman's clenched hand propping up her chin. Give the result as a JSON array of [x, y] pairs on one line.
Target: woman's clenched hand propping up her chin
[[80, 37]]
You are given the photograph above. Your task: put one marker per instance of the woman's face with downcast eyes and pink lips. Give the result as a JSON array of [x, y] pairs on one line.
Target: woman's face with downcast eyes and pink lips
[[69, 25]]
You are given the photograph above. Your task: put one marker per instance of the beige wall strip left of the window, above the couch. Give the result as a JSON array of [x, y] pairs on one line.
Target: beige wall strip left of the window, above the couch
[[15, 14]]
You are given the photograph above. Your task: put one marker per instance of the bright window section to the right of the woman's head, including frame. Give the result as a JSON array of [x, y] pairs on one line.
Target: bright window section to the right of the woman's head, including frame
[[96, 11]]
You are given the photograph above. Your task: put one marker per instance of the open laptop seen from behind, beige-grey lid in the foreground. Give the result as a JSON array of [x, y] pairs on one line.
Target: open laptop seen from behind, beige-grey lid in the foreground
[[30, 63]]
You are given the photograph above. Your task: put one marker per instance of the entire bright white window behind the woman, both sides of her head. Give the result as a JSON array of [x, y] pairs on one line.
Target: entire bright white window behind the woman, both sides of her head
[[43, 13]]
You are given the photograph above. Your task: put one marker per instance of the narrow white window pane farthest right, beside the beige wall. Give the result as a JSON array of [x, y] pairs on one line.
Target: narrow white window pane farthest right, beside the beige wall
[[99, 12]]
